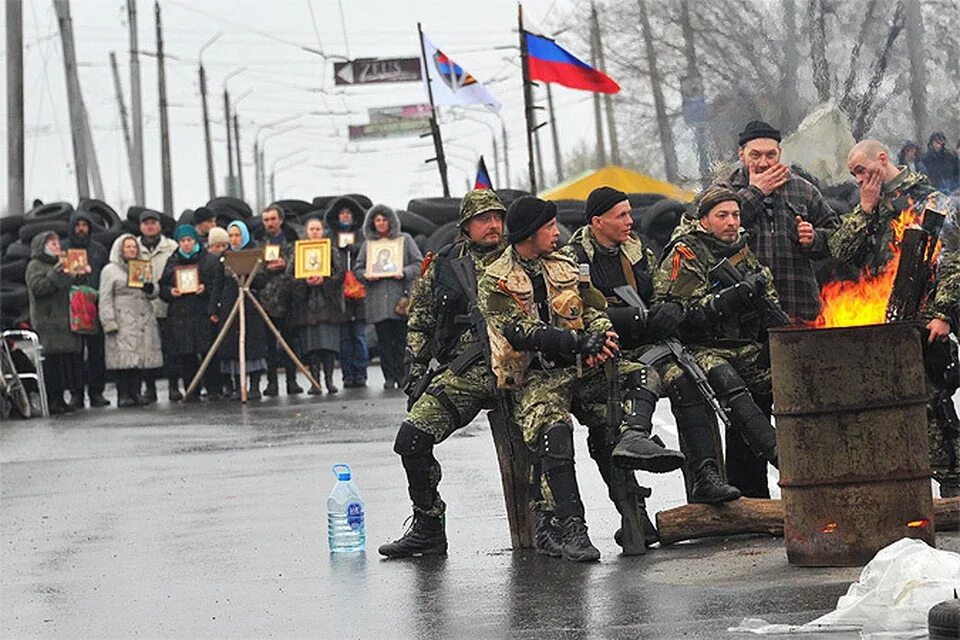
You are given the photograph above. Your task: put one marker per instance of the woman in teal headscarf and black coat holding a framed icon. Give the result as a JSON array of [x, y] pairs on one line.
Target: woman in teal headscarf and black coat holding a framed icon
[[191, 309]]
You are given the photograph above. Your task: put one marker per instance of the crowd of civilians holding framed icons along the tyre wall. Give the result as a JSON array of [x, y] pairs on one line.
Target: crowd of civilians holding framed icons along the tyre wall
[[152, 329]]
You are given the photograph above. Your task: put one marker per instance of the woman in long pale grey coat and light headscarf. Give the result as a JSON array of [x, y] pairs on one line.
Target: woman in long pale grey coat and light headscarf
[[132, 335]]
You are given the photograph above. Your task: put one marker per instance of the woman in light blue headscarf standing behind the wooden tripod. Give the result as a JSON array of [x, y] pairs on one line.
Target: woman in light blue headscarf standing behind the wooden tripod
[[255, 351]]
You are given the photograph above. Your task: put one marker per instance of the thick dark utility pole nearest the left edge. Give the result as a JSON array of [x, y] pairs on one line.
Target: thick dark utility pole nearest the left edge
[[16, 196]]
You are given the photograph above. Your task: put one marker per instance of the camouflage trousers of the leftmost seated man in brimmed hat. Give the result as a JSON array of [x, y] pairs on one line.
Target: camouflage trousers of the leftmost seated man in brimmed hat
[[450, 403]]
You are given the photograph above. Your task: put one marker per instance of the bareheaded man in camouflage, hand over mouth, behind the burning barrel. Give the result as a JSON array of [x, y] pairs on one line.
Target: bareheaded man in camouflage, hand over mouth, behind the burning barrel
[[864, 241]]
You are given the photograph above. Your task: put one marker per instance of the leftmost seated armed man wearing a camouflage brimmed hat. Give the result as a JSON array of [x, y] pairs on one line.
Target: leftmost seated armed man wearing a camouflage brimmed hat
[[448, 398]]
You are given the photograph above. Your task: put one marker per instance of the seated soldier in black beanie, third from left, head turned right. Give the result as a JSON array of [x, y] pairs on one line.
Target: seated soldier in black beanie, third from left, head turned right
[[616, 258]]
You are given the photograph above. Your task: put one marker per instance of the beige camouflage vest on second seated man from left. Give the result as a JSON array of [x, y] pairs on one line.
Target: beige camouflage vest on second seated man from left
[[560, 273]]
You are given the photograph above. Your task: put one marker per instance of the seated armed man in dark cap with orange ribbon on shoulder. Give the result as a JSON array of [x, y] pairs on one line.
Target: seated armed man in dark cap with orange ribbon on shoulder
[[723, 326]]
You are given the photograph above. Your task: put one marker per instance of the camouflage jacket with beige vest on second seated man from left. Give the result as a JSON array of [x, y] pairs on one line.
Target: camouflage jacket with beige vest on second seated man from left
[[506, 296]]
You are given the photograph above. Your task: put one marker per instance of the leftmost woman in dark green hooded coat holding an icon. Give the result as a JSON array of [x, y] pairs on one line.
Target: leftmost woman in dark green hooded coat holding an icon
[[48, 289]]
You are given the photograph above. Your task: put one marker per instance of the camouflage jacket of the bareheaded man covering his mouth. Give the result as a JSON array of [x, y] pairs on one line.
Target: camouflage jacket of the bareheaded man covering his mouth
[[865, 238]]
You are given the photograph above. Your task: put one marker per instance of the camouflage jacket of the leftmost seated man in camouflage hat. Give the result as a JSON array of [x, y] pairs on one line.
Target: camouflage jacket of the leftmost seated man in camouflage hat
[[429, 330]]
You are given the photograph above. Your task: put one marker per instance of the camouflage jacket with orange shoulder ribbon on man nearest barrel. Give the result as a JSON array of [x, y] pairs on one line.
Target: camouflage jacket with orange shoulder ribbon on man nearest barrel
[[683, 277]]
